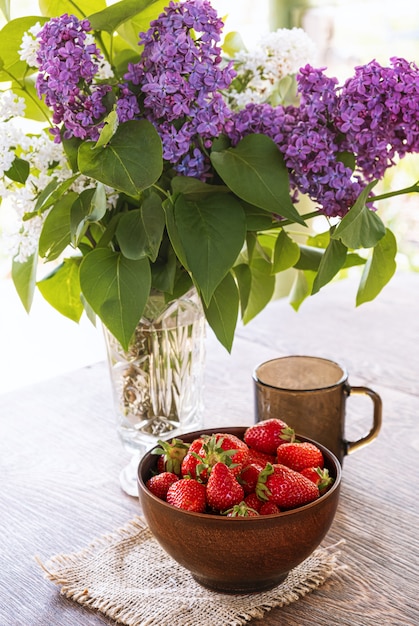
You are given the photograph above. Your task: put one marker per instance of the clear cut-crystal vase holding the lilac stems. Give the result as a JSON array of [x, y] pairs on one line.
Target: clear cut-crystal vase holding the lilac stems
[[157, 383]]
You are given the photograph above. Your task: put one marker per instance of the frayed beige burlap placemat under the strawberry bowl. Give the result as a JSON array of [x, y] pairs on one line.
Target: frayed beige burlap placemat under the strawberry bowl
[[128, 577]]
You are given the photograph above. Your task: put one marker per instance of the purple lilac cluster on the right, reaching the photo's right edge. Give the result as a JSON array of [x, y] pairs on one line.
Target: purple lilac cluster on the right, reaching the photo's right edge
[[374, 117]]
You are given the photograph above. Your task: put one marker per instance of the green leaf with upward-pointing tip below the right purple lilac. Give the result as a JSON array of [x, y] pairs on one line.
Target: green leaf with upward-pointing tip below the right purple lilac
[[361, 227]]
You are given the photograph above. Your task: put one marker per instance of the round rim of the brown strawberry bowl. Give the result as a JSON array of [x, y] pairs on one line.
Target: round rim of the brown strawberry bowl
[[256, 519]]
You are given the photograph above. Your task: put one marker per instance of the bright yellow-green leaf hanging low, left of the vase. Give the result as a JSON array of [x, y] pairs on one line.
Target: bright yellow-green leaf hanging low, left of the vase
[[61, 289]]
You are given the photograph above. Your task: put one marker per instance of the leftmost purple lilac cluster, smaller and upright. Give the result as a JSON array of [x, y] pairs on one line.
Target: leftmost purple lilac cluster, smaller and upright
[[67, 67]]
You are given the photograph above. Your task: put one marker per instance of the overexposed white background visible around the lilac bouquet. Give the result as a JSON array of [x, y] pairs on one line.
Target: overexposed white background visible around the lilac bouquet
[[347, 32]]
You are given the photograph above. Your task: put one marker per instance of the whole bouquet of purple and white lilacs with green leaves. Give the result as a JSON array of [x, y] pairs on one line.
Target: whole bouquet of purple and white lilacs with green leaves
[[163, 163]]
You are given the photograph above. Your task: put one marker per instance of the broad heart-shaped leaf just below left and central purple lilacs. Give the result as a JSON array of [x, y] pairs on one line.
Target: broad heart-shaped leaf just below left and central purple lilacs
[[130, 162]]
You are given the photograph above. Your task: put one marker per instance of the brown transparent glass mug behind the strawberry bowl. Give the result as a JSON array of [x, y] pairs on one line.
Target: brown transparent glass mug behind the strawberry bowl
[[309, 394]]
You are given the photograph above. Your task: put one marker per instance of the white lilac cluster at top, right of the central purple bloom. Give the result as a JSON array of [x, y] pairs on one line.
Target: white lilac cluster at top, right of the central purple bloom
[[259, 72]]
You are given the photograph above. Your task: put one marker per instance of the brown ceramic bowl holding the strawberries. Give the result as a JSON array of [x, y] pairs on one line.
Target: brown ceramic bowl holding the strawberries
[[233, 554]]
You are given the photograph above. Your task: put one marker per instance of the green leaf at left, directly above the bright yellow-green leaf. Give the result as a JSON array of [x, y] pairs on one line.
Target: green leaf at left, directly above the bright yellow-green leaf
[[56, 231]]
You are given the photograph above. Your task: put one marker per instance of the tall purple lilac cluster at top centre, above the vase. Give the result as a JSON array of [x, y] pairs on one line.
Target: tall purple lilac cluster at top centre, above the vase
[[181, 76]]
